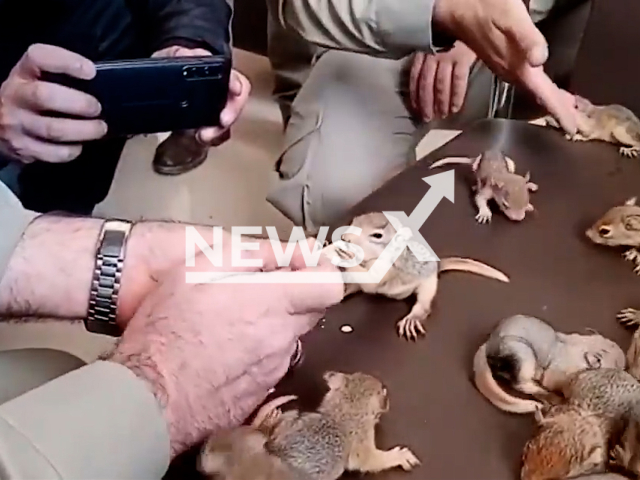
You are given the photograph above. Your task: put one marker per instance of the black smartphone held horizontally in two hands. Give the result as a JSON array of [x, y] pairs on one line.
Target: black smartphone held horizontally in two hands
[[155, 95]]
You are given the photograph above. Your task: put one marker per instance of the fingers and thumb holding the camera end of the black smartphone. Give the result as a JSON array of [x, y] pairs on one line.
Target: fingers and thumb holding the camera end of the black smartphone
[[238, 96]]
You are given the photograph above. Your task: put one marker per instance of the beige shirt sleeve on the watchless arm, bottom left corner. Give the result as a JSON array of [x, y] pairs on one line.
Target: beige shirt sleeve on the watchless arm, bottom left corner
[[99, 422]]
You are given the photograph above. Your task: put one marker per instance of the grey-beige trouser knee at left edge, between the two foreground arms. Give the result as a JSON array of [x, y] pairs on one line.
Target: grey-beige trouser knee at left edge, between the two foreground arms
[[25, 369]]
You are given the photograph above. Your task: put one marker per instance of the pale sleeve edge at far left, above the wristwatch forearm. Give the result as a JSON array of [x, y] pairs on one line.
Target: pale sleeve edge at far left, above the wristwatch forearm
[[14, 219]]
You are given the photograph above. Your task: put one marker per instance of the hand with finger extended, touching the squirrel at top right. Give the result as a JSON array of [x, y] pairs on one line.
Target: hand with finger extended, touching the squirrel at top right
[[505, 38]]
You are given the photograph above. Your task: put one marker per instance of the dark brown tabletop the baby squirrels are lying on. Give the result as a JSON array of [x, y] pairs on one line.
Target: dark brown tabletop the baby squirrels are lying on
[[555, 272]]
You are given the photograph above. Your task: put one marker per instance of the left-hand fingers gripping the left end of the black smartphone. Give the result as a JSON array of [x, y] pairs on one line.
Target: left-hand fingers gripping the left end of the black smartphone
[[27, 131]]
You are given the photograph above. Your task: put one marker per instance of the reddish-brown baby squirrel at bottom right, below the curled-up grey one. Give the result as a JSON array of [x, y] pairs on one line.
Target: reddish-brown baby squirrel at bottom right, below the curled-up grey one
[[576, 437]]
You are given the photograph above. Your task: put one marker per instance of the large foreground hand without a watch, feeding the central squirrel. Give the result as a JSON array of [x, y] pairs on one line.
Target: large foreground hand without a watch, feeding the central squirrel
[[212, 352]]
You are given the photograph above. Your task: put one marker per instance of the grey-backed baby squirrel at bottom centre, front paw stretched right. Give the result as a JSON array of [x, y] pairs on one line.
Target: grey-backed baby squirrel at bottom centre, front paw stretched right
[[340, 435]]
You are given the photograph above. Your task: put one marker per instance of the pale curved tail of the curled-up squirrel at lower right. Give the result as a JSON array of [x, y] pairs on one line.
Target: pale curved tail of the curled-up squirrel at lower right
[[488, 386]]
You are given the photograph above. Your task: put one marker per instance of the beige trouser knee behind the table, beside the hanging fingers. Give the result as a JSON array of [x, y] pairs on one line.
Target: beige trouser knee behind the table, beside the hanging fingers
[[349, 132]]
